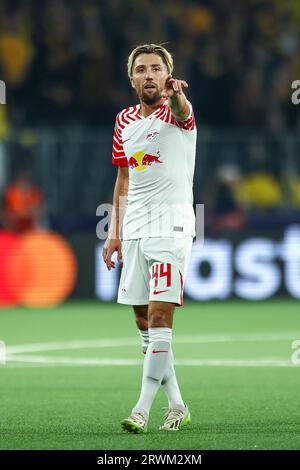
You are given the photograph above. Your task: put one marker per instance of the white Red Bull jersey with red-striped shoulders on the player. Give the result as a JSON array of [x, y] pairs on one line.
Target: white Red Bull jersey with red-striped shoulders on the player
[[160, 154]]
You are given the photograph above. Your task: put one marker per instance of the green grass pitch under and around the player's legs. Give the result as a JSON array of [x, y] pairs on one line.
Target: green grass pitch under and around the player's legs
[[234, 369]]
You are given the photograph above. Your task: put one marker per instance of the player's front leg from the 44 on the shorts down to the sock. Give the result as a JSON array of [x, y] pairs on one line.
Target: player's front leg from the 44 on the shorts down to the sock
[[165, 284]]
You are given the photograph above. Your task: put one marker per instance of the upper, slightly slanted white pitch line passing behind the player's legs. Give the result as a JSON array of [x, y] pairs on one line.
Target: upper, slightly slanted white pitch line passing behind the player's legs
[[134, 341]]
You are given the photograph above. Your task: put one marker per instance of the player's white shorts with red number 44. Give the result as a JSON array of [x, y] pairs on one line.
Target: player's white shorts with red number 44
[[154, 269]]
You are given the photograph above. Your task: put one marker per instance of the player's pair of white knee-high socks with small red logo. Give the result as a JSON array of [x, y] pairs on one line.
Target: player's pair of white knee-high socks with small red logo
[[158, 369]]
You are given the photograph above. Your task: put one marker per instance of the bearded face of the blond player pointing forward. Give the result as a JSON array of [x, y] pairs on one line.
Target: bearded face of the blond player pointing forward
[[148, 77]]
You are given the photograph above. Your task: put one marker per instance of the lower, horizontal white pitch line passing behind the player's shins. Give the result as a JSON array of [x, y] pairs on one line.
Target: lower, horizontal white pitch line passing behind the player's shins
[[70, 361]]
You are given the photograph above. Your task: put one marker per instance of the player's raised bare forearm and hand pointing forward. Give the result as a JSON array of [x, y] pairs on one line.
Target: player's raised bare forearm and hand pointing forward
[[177, 100]]
